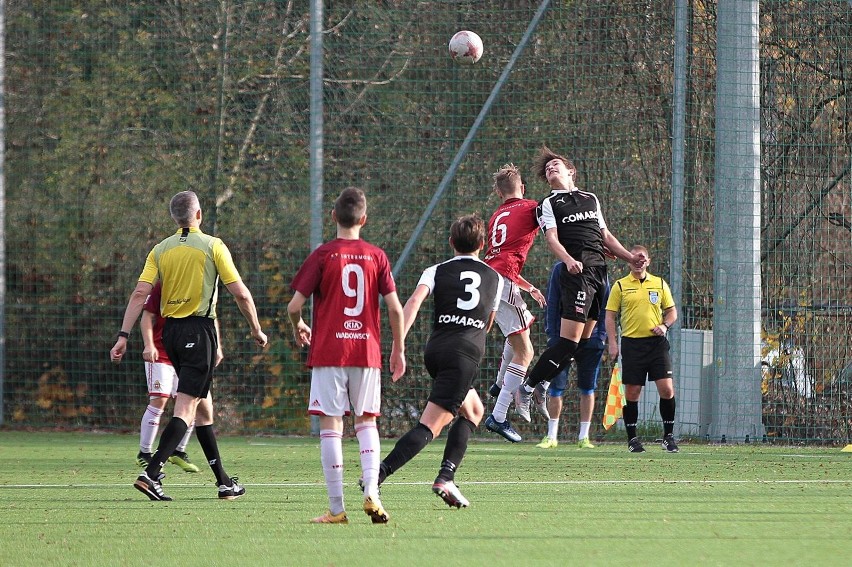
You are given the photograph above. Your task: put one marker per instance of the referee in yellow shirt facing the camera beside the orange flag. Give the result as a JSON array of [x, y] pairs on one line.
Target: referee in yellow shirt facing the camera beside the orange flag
[[644, 304]]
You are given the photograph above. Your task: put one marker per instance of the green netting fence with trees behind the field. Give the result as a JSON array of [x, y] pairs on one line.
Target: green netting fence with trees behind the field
[[114, 107]]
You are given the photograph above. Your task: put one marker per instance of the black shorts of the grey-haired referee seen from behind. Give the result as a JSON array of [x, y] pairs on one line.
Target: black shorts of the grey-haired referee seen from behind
[[191, 345]]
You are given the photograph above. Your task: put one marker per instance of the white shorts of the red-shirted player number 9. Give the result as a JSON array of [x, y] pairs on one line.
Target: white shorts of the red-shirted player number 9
[[339, 391]]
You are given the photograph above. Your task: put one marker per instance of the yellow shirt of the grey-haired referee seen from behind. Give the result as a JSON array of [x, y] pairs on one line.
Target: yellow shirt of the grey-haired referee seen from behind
[[189, 263]]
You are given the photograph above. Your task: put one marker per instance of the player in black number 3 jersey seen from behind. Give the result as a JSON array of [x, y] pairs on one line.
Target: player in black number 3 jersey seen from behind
[[467, 294]]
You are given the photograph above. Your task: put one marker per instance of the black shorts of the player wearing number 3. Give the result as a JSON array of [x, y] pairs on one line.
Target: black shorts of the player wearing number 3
[[452, 378]]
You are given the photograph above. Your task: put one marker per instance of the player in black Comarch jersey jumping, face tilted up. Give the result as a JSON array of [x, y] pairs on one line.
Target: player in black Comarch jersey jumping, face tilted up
[[577, 234]]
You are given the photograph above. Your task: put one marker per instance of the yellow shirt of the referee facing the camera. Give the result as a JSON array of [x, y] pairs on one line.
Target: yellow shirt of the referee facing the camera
[[640, 304]]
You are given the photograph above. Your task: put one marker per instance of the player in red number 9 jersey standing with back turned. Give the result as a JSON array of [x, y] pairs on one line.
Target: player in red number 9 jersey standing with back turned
[[346, 276]]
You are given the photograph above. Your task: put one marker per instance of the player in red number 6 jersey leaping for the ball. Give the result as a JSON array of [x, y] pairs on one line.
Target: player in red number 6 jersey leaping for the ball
[[511, 232]]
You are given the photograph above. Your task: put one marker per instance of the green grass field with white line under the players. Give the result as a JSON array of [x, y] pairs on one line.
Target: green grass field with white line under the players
[[67, 500]]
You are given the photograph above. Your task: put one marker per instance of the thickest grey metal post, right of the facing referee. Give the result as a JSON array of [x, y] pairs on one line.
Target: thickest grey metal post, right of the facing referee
[[736, 288]]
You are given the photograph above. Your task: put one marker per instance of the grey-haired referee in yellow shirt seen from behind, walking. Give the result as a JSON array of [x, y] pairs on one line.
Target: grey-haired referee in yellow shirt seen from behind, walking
[[190, 264]]
